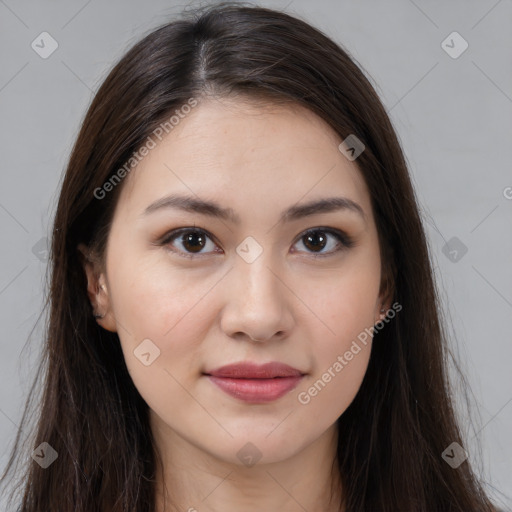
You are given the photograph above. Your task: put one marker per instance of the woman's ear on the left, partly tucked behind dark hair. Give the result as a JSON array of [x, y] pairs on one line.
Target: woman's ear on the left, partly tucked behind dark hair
[[97, 288]]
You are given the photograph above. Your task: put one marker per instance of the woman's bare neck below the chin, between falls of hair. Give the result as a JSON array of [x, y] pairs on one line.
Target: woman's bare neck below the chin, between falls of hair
[[196, 481]]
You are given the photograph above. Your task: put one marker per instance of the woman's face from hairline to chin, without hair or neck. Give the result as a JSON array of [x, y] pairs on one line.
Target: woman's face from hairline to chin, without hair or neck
[[192, 289]]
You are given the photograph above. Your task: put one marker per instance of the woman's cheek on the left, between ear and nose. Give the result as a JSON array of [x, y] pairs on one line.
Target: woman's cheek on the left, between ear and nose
[[164, 315]]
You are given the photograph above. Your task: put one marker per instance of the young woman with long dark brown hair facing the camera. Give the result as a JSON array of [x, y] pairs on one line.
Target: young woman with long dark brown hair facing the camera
[[242, 309]]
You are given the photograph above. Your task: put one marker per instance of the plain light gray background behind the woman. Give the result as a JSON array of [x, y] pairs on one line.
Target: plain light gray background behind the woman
[[453, 117]]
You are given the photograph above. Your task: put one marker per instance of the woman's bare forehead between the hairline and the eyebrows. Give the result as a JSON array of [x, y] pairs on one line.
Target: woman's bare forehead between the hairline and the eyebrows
[[248, 152]]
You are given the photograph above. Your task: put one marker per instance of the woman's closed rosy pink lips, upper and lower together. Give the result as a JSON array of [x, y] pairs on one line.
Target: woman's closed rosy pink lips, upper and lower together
[[256, 383]]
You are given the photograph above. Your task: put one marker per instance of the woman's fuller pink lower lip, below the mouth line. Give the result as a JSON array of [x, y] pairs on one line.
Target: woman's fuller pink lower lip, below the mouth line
[[256, 390]]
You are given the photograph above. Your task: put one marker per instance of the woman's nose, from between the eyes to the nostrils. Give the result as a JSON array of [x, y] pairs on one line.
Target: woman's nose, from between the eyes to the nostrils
[[257, 302]]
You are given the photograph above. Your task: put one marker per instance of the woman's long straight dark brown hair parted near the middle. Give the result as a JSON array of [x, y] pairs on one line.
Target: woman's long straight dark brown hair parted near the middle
[[392, 435]]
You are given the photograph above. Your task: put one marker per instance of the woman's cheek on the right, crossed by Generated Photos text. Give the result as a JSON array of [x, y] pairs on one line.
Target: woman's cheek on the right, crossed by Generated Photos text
[[345, 306]]
